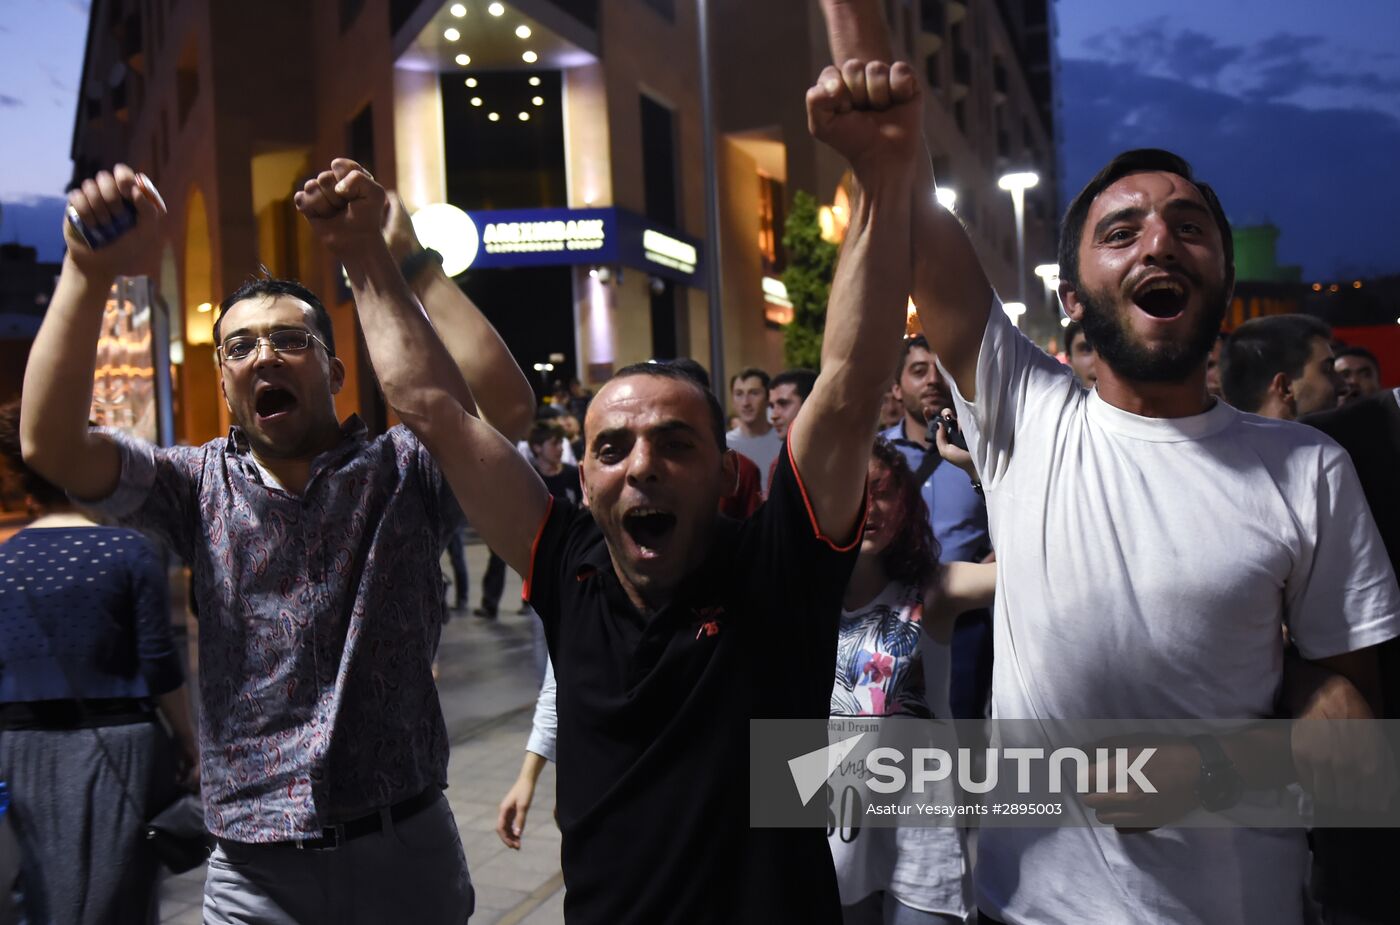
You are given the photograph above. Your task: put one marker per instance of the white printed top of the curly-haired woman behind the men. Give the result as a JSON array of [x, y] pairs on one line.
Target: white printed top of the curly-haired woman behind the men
[[887, 665]]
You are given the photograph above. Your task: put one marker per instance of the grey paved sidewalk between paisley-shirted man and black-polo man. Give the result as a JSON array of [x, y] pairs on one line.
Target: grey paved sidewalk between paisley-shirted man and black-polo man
[[488, 714]]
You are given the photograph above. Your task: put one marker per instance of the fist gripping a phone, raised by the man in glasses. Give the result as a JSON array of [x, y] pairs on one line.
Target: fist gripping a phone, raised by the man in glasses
[[121, 213]]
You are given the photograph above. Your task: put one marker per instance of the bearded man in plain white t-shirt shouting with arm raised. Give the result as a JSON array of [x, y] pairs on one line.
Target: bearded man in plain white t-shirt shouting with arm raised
[[1151, 541]]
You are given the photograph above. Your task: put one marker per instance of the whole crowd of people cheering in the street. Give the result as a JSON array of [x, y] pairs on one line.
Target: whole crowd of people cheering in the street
[[1170, 524]]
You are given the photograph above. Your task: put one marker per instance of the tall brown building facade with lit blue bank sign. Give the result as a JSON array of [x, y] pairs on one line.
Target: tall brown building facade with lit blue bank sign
[[570, 134]]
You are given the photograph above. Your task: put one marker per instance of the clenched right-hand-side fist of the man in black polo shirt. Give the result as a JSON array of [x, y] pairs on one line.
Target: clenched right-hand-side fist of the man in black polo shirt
[[869, 111]]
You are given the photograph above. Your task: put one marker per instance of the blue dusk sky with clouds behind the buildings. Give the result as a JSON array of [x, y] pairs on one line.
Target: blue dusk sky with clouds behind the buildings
[[1290, 108]]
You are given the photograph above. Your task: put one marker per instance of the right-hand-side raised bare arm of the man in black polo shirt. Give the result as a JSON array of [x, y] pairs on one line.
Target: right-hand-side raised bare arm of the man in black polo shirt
[[870, 114]]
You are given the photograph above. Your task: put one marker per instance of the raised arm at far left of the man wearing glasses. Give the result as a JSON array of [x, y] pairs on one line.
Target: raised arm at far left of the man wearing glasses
[[58, 381]]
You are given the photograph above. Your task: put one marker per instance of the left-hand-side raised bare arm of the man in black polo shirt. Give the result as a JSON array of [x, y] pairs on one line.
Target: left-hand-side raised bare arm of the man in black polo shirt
[[498, 490]]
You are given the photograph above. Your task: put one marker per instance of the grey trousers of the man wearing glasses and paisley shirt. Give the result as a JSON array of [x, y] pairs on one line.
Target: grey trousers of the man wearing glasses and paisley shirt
[[412, 871]]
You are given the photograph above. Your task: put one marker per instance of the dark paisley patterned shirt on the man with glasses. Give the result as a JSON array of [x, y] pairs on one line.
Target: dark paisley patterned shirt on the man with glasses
[[318, 621]]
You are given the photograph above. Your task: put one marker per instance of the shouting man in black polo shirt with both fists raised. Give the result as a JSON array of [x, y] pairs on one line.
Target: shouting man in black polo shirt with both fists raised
[[670, 626]]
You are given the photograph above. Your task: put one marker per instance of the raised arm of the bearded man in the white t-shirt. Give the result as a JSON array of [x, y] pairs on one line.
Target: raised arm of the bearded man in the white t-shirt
[[950, 288]]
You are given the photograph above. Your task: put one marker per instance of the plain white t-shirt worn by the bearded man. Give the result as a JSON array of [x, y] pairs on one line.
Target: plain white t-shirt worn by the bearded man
[[1144, 570]]
